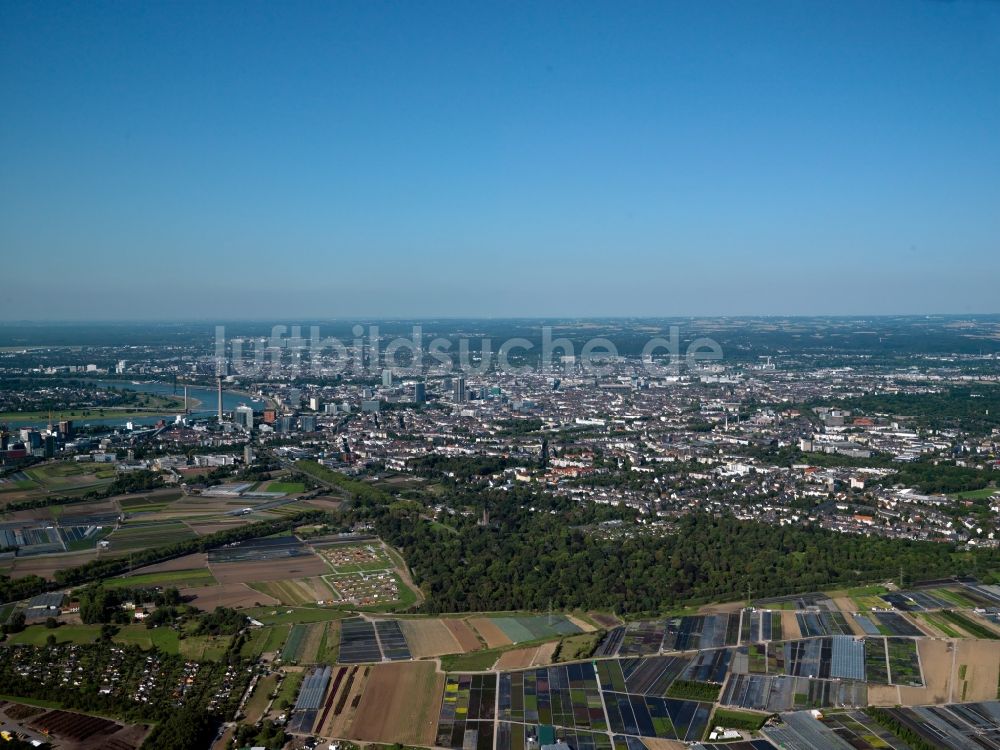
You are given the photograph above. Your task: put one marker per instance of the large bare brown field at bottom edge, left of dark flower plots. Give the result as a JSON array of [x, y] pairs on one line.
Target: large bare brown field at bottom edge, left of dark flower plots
[[401, 703]]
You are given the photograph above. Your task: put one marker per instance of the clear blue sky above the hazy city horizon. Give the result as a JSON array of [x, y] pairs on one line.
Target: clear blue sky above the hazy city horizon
[[199, 160]]
